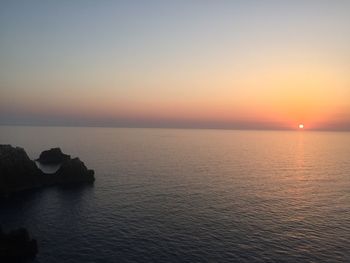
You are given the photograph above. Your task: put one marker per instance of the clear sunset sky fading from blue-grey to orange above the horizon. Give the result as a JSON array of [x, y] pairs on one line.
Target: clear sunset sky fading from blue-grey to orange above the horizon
[[212, 64]]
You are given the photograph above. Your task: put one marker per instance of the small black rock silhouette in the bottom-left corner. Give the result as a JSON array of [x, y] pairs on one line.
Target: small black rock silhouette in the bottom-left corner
[[17, 246]]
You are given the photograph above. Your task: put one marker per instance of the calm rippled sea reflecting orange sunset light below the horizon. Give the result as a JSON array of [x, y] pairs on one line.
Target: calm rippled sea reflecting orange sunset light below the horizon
[[164, 195]]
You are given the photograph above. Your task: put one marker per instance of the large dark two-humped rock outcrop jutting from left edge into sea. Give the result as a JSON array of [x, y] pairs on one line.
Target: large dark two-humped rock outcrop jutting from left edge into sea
[[18, 172]]
